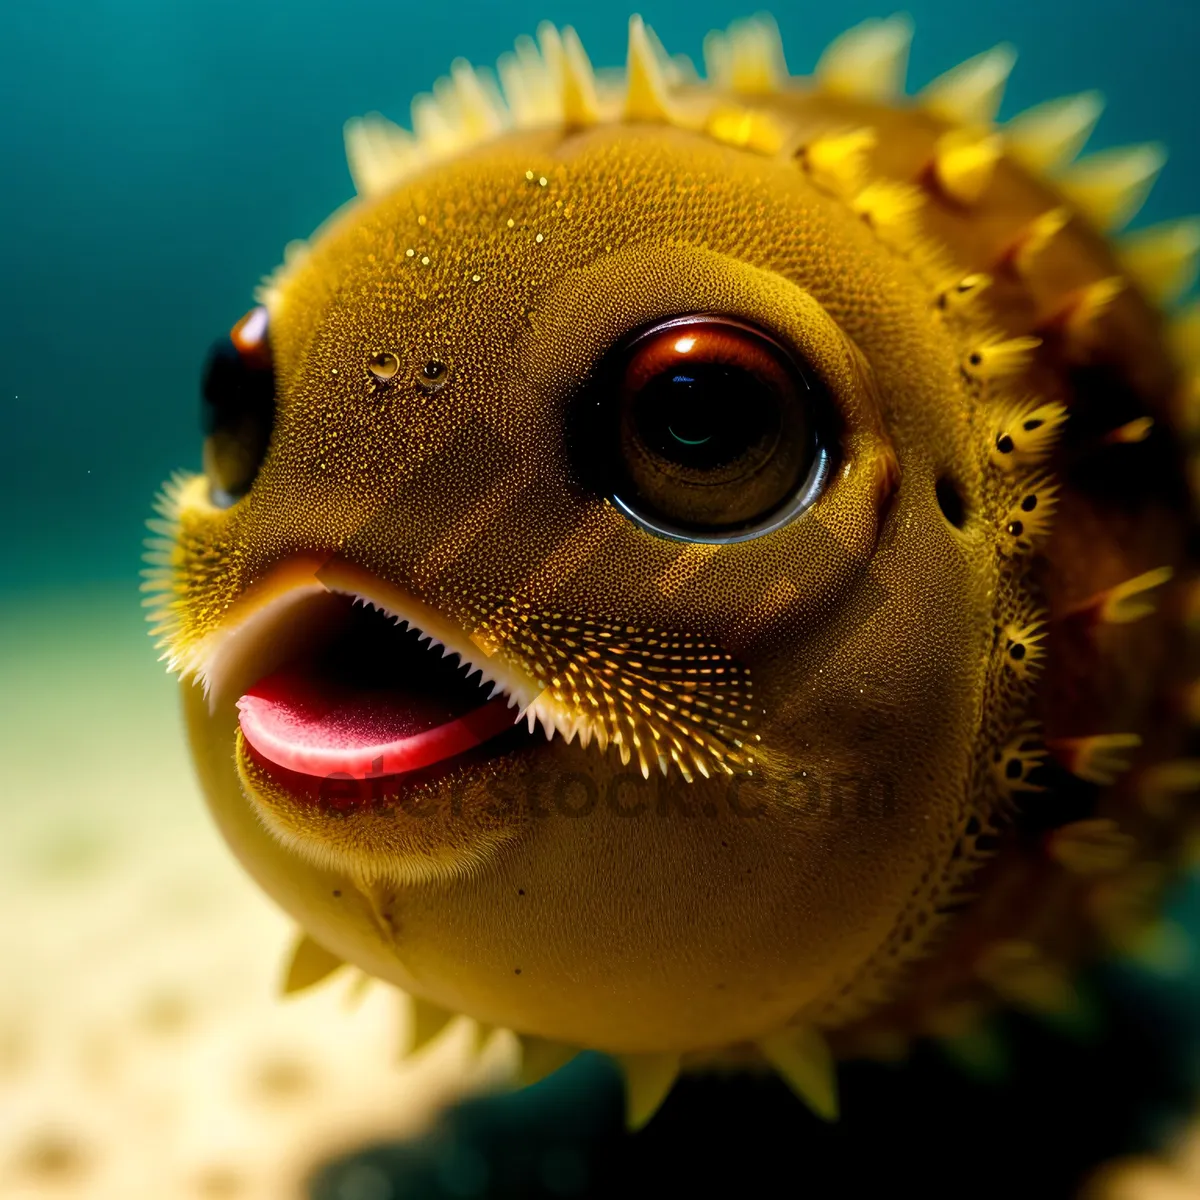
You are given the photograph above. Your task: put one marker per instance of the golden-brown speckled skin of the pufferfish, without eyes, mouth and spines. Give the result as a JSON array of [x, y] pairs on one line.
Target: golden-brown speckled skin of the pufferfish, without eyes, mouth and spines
[[725, 908]]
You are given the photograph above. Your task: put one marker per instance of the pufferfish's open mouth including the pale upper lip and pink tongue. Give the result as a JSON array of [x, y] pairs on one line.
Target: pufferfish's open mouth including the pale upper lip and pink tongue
[[344, 686]]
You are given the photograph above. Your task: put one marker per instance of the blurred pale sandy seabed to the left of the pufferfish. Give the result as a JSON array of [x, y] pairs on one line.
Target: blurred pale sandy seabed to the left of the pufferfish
[[143, 1048]]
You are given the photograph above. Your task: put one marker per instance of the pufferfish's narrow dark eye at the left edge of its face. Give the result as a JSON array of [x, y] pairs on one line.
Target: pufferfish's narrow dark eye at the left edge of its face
[[238, 409]]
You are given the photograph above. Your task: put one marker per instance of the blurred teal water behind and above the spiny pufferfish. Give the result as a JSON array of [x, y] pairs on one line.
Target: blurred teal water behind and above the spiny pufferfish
[[155, 159]]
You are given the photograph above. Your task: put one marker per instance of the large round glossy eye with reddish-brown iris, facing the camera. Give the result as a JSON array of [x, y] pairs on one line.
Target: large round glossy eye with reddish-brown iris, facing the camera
[[713, 430]]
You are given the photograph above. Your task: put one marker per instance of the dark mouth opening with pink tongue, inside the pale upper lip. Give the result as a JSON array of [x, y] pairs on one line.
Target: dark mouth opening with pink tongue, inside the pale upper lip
[[376, 698]]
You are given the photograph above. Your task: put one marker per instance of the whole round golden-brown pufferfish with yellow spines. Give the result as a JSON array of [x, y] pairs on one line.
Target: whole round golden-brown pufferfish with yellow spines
[[699, 568]]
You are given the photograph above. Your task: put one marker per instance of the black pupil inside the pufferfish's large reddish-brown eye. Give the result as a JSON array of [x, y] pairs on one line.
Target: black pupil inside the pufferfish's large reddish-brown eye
[[703, 416]]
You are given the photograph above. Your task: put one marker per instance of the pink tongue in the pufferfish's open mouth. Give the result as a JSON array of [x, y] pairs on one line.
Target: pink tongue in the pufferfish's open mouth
[[319, 727]]
